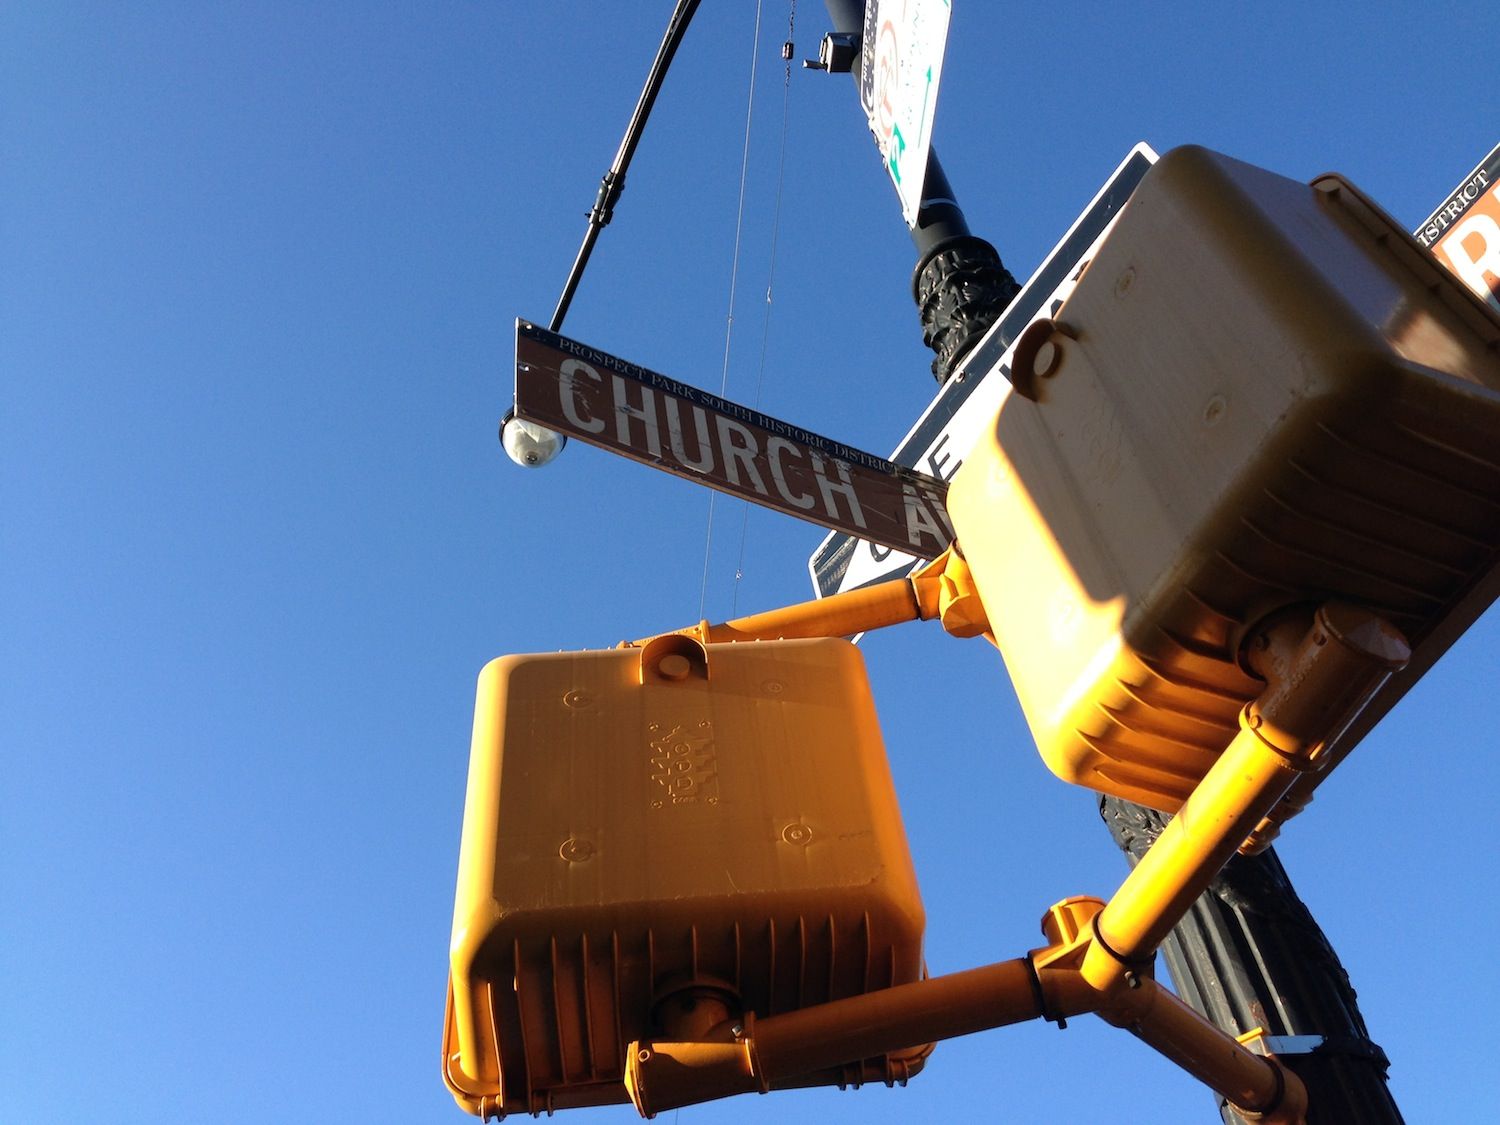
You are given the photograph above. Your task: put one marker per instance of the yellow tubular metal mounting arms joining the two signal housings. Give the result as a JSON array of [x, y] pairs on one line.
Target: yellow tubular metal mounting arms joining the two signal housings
[[1319, 674]]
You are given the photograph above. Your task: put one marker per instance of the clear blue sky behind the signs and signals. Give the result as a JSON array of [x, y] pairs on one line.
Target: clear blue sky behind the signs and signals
[[259, 272]]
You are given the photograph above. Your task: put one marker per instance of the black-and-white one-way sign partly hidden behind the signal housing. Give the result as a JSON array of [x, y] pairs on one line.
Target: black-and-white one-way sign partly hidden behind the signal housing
[[949, 428]]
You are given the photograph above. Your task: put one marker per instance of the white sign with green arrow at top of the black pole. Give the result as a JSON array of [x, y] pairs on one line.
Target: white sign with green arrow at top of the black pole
[[899, 70]]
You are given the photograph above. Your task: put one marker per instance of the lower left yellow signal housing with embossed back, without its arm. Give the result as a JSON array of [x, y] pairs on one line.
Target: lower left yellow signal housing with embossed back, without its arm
[[676, 821]]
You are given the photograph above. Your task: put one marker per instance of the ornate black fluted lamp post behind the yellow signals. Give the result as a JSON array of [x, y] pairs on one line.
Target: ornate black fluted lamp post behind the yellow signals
[[1249, 956]]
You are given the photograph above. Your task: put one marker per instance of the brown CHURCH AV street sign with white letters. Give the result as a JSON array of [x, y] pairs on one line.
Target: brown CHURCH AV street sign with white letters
[[625, 409]]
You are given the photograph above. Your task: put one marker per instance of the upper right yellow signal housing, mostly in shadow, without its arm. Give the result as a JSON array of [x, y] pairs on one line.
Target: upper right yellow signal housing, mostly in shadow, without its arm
[[1261, 395]]
